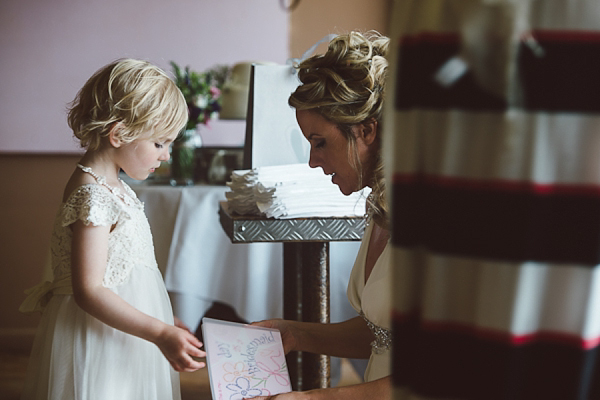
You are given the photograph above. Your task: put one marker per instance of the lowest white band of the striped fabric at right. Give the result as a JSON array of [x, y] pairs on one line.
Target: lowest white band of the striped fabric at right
[[516, 298]]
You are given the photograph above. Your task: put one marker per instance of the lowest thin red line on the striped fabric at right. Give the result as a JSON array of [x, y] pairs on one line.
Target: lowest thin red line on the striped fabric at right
[[496, 335]]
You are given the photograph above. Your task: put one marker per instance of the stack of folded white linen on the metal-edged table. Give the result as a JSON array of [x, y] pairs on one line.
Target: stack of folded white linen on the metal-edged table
[[291, 191]]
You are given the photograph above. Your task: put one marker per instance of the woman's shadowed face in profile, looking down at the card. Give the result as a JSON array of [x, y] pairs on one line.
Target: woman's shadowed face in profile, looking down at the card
[[329, 150]]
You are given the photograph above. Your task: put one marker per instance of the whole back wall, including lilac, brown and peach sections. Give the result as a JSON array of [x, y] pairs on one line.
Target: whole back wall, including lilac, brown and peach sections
[[44, 61]]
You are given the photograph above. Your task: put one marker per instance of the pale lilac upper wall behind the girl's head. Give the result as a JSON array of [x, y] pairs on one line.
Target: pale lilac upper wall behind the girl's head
[[49, 48]]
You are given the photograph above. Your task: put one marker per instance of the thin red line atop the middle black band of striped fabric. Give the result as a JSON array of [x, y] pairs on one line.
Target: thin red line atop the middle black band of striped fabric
[[499, 185]]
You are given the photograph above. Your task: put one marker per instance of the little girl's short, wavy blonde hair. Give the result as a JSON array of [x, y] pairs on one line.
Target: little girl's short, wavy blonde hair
[[135, 94]]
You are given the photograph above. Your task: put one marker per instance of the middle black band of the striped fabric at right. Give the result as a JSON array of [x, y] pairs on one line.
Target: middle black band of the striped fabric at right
[[496, 224]]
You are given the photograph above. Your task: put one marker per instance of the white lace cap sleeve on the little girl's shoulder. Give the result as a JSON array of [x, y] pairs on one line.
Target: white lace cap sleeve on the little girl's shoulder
[[92, 204]]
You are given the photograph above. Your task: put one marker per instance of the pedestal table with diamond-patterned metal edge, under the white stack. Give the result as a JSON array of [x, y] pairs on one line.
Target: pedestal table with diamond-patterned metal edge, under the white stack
[[306, 274]]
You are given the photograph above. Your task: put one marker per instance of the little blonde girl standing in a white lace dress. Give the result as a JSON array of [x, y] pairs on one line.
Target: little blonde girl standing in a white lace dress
[[106, 314]]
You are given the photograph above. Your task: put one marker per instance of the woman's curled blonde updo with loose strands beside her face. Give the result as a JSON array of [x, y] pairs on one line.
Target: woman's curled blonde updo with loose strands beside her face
[[346, 86]]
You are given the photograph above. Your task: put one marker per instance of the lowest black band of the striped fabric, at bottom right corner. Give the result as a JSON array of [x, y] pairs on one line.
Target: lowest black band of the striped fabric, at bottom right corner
[[455, 365]]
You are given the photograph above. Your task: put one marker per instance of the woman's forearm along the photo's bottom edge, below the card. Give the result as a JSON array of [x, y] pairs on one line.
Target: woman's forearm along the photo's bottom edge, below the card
[[379, 389]]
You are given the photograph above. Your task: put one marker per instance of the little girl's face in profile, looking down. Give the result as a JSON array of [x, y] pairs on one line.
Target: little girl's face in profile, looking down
[[142, 156]]
